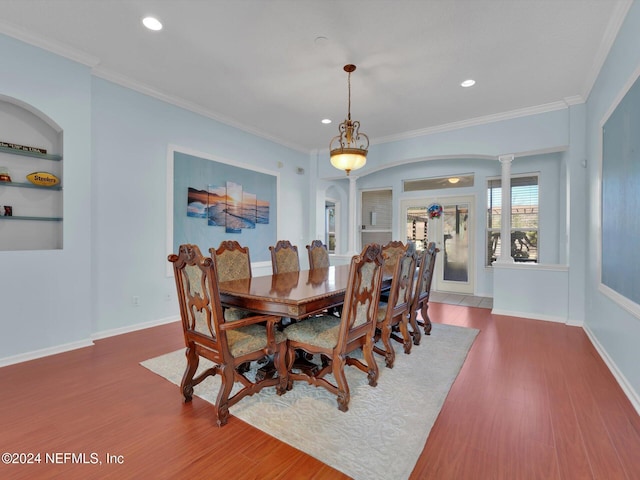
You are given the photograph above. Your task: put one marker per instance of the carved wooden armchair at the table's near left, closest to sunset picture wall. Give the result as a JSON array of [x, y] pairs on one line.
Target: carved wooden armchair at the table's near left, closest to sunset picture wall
[[229, 345]]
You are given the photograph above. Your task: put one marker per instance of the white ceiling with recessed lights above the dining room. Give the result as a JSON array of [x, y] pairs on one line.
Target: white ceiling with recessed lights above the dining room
[[256, 64]]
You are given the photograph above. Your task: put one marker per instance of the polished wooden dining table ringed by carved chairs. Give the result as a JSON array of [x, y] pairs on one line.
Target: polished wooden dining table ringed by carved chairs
[[293, 294]]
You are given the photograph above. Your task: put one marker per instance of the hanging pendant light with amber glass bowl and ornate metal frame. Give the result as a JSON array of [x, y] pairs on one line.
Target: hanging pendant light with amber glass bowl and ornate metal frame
[[348, 150]]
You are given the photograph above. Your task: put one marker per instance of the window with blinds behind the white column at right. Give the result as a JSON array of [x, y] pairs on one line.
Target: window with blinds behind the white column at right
[[524, 218]]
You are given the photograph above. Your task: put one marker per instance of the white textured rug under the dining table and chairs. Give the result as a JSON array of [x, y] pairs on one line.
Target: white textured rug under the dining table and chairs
[[386, 427]]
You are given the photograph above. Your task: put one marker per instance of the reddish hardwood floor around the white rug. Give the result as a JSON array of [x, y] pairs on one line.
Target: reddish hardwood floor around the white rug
[[533, 401]]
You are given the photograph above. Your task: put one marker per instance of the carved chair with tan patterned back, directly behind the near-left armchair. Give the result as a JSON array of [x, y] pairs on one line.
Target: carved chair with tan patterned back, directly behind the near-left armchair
[[232, 263]]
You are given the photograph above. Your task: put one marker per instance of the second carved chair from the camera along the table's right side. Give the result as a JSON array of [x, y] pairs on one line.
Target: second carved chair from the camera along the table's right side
[[393, 315]]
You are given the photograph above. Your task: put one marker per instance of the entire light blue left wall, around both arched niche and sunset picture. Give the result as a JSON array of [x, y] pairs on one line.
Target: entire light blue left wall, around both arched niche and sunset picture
[[115, 147]]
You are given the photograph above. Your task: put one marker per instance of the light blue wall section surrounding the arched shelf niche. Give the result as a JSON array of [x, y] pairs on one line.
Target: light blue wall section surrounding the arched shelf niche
[[45, 296]]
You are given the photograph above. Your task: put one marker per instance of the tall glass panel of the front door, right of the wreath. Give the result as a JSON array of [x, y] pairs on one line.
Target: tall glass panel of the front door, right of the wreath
[[455, 221]]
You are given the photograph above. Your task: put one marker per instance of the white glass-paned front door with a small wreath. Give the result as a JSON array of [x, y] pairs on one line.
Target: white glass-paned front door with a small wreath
[[453, 233]]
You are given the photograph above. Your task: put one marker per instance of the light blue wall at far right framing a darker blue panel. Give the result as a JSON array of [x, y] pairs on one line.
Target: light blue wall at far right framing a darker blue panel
[[615, 329]]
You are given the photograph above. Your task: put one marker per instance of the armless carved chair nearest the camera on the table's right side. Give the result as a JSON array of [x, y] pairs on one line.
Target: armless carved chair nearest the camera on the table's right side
[[332, 338]]
